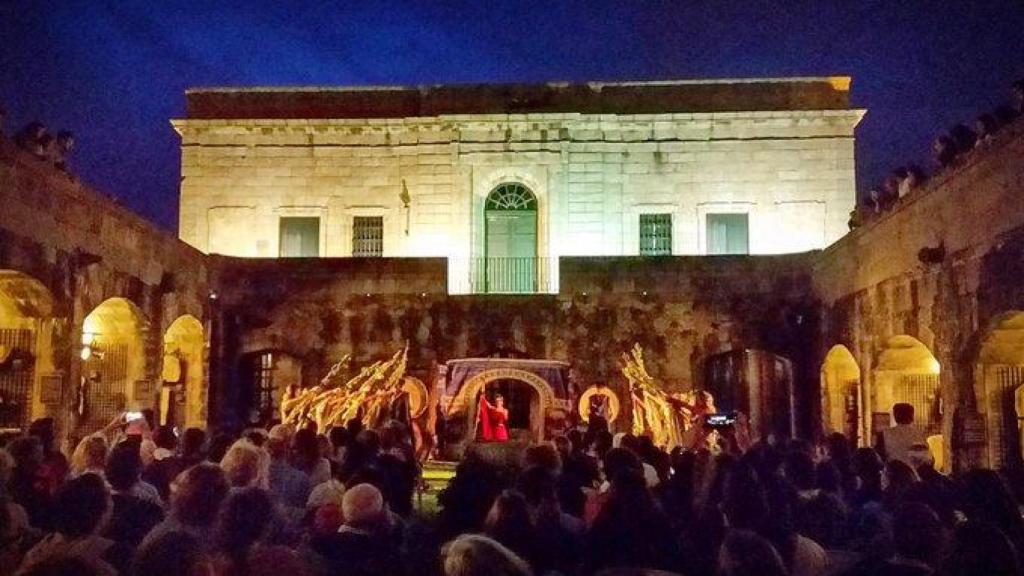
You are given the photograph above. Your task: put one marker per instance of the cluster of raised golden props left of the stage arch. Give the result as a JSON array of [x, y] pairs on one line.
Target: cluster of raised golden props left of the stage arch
[[368, 396]]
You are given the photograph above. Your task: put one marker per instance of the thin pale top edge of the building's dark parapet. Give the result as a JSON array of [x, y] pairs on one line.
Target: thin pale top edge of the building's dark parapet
[[839, 84]]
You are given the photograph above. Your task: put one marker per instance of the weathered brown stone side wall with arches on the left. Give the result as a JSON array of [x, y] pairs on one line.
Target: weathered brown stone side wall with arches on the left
[[84, 250]]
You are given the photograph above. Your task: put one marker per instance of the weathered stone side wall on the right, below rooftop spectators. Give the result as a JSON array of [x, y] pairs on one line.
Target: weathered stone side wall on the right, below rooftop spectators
[[874, 284]]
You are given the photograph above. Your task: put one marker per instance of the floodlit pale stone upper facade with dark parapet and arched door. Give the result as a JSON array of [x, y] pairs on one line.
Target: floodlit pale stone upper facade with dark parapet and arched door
[[504, 181]]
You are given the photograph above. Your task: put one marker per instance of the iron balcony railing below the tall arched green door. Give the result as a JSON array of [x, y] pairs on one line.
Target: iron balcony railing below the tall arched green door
[[501, 276]]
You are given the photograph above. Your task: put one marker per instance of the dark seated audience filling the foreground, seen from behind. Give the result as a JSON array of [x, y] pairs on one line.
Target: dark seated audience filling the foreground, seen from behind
[[293, 503]]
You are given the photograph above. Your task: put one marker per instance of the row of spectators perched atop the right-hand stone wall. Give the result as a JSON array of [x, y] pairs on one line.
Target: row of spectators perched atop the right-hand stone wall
[[948, 151]]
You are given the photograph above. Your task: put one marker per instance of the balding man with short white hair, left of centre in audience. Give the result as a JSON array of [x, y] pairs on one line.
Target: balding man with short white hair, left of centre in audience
[[362, 546]]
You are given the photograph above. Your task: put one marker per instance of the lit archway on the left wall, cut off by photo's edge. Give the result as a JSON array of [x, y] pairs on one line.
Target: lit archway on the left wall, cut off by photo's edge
[[26, 347]]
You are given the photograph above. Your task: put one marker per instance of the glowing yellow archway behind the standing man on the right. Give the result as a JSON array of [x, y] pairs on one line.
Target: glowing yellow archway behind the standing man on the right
[[908, 373]]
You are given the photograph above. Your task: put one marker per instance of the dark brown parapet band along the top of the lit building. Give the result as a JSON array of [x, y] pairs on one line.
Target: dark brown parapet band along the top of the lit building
[[591, 98]]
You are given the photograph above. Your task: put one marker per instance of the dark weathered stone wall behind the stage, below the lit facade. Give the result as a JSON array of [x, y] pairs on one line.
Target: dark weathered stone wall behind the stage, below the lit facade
[[681, 310]]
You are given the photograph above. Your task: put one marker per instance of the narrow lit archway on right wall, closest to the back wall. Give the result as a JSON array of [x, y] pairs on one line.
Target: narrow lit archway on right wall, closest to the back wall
[[841, 394]]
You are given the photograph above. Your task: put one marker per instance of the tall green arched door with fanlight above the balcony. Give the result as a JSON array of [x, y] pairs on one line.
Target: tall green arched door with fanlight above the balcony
[[510, 264]]
